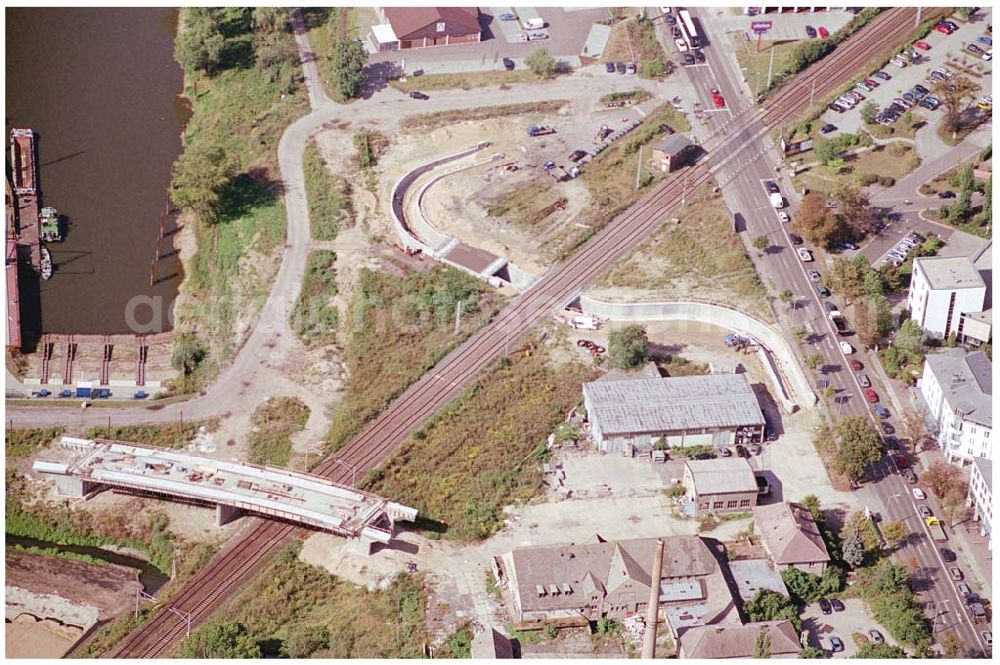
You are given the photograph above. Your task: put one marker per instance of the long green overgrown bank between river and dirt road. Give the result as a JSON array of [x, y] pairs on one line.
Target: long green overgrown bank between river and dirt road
[[242, 79]]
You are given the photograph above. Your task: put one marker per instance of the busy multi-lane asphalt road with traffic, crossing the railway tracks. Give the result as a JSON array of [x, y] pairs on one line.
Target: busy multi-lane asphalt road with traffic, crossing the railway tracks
[[886, 492]]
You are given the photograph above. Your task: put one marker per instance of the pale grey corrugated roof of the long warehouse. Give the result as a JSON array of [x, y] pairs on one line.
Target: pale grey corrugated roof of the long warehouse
[[673, 403]]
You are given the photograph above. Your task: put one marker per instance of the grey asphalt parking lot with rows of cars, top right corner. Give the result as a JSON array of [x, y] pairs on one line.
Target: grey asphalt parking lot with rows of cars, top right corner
[[903, 79]]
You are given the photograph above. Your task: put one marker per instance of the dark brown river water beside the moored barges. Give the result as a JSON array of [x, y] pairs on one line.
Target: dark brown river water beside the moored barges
[[101, 90]]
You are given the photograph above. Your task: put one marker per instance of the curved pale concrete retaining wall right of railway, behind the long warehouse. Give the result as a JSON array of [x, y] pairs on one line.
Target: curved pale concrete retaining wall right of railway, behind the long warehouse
[[777, 356]]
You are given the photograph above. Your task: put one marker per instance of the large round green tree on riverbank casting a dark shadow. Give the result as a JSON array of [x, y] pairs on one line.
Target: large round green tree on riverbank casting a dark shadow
[[199, 175]]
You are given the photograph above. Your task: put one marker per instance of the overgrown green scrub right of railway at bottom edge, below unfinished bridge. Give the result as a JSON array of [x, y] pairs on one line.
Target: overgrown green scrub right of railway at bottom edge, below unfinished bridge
[[294, 610]]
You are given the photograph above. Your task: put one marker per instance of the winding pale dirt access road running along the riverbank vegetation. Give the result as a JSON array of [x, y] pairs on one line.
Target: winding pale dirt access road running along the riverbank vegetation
[[272, 344]]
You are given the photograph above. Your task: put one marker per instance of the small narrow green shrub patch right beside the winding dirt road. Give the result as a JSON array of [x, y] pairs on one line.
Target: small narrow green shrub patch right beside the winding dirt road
[[316, 316]]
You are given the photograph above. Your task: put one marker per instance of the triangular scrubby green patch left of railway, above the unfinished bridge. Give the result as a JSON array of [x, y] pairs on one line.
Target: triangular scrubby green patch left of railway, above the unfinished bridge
[[398, 328]]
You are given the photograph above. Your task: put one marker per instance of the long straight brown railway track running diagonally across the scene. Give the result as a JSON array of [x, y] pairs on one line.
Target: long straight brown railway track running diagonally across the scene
[[247, 552]]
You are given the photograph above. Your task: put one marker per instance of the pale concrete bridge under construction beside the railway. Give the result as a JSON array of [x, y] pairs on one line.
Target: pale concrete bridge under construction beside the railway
[[233, 487]]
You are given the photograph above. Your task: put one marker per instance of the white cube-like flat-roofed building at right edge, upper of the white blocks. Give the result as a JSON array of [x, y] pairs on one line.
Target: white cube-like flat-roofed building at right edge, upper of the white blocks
[[942, 289]]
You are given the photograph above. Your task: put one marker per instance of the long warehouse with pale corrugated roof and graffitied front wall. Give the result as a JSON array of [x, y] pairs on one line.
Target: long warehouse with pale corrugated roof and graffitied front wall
[[636, 415]]
